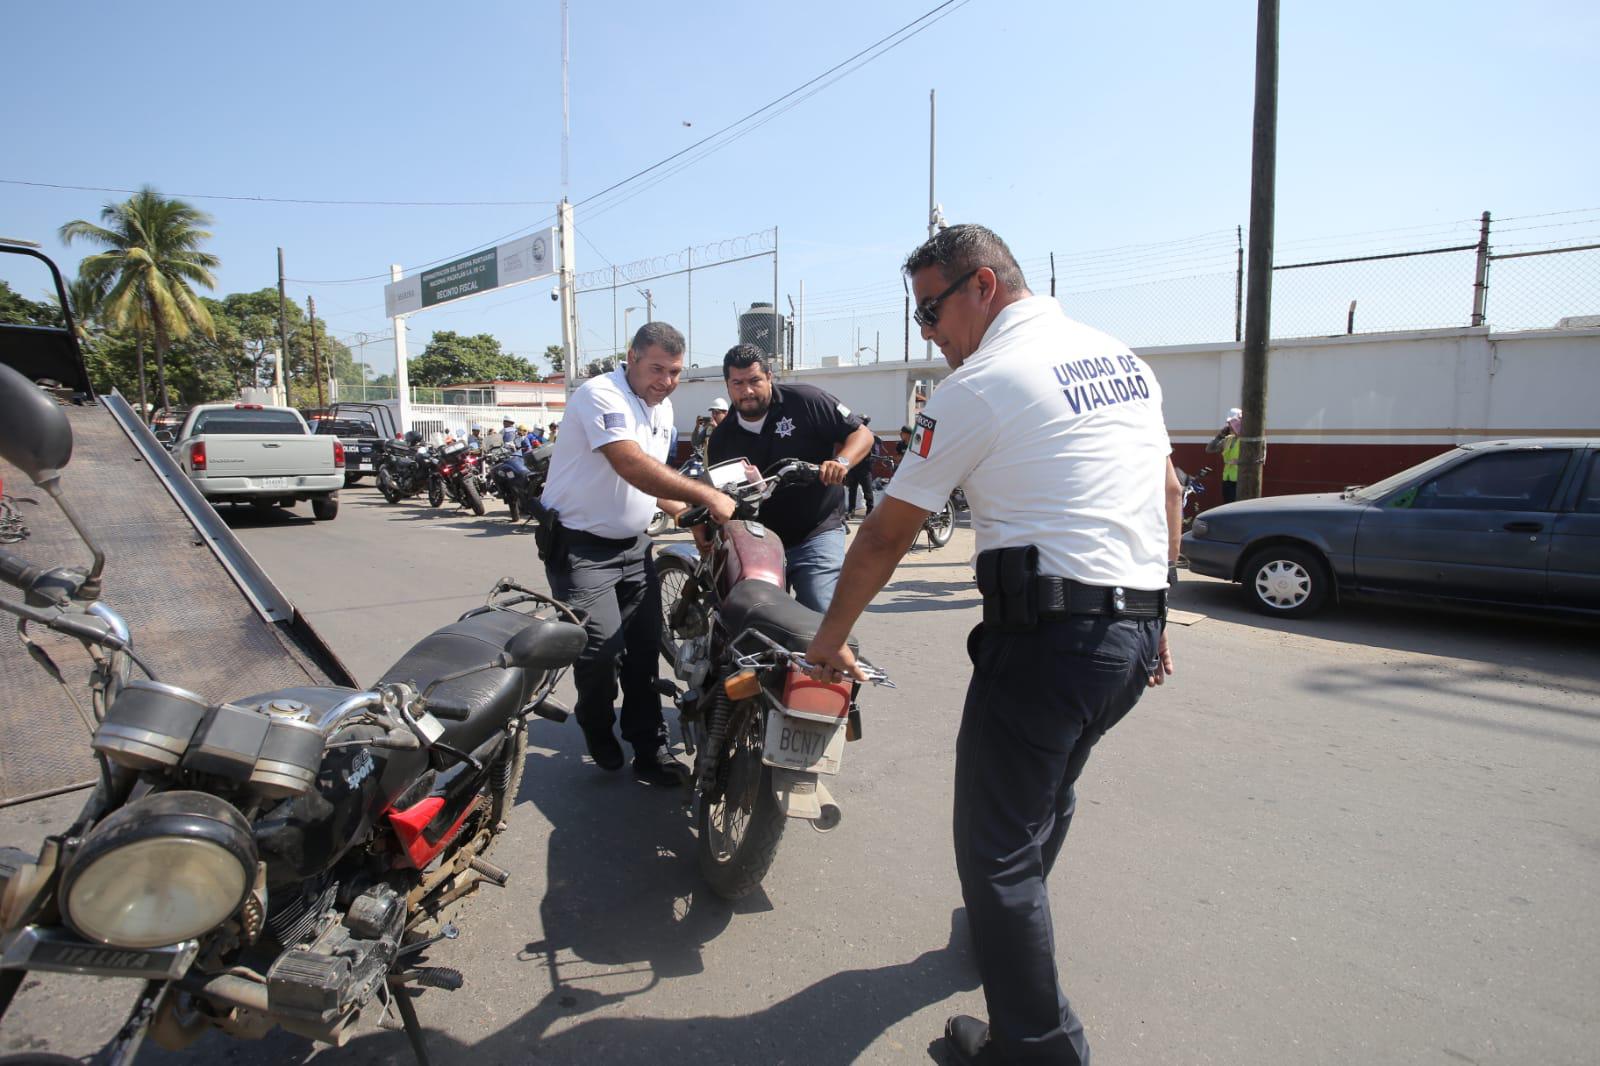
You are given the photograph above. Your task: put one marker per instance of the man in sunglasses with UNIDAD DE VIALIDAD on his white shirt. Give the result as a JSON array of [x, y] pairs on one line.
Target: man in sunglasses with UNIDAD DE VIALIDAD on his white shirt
[[1055, 431]]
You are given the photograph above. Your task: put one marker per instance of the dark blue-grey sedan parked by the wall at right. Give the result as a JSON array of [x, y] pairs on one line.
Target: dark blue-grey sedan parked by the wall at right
[[1513, 523]]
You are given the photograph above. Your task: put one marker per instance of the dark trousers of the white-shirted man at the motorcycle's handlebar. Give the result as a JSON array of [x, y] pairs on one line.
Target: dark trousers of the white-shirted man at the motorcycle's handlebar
[[620, 590]]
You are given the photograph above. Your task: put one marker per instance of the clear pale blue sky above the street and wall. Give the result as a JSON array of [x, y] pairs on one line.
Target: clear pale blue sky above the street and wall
[[1070, 129]]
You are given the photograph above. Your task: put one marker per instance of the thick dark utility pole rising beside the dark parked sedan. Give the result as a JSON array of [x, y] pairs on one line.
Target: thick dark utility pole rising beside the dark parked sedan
[[1258, 310]]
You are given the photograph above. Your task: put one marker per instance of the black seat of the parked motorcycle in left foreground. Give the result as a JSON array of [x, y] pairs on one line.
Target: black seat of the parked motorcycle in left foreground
[[492, 697]]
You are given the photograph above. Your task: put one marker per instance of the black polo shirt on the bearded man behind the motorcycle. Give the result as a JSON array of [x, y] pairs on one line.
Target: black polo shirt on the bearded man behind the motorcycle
[[802, 423]]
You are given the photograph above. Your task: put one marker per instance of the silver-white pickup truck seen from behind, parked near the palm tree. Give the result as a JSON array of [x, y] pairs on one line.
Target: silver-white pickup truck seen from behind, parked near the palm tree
[[260, 455]]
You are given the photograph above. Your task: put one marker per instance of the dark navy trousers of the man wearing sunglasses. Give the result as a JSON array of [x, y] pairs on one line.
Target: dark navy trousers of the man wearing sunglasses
[[1036, 707]]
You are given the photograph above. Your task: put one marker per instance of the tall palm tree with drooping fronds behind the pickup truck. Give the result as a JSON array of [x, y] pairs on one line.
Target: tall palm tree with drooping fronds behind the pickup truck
[[153, 255]]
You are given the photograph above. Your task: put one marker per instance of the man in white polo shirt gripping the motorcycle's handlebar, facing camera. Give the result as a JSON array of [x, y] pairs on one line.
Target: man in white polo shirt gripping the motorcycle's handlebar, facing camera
[[607, 479]]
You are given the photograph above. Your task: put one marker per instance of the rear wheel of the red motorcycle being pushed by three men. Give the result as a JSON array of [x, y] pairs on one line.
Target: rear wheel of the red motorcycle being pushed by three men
[[740, 824]]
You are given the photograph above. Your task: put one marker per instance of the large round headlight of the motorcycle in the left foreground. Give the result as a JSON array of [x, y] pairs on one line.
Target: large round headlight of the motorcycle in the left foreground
[[159, 872]]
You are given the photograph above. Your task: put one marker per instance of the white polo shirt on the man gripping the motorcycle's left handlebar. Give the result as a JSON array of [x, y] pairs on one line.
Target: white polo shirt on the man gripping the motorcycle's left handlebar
[[582, 486]]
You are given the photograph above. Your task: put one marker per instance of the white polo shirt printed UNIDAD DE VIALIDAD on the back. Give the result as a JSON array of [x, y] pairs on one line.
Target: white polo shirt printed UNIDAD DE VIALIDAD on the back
[[1055, 431]]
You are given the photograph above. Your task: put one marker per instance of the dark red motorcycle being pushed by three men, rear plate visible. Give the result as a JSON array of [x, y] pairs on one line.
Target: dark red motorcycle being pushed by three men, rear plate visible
[[762, 734]]
